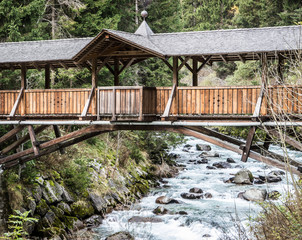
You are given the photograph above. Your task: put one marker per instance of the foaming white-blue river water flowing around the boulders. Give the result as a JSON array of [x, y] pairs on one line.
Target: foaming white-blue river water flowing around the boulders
[[207, 218]]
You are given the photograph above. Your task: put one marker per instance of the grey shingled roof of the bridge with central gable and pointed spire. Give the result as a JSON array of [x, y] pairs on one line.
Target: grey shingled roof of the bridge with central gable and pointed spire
[[221, 45]]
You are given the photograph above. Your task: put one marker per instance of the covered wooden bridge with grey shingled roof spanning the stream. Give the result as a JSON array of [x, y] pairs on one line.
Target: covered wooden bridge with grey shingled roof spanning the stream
[[183, 109]]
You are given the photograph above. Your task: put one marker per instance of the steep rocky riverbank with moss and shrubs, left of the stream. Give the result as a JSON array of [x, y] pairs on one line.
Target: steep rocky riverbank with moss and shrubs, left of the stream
[[71, 192]]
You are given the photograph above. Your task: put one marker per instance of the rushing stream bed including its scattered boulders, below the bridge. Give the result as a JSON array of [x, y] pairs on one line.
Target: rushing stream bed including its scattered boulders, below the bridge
[[203, 200]]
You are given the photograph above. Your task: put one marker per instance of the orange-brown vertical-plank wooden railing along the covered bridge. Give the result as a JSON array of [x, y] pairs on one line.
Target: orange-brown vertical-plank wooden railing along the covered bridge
[[148, 103]]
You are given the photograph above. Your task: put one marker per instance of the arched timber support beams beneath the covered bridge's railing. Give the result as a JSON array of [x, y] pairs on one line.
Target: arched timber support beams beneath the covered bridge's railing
[[261, 153]]
